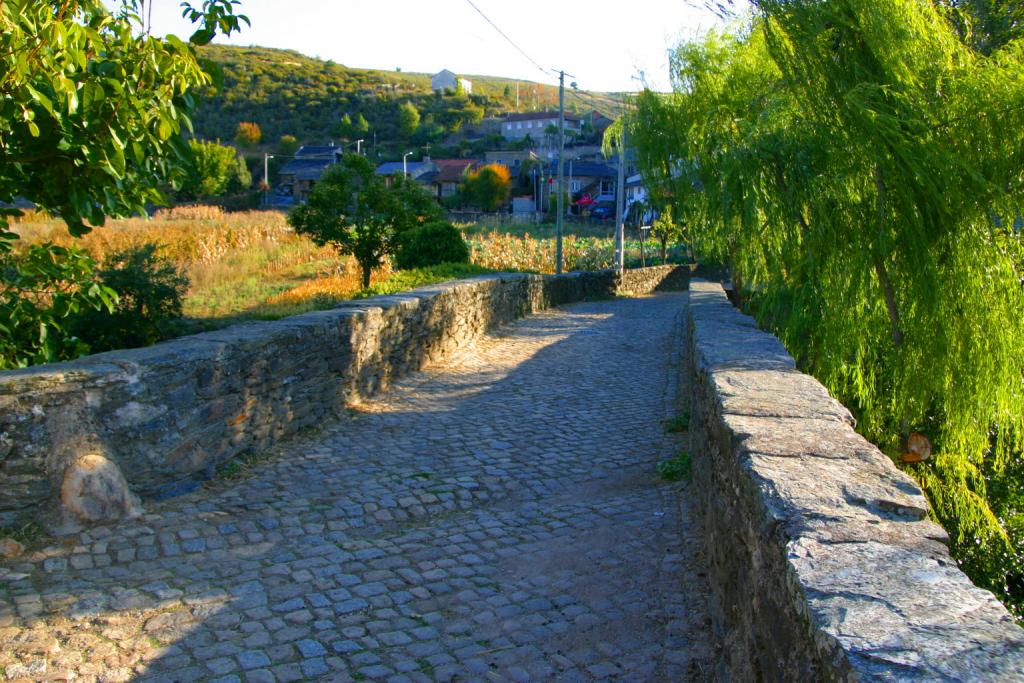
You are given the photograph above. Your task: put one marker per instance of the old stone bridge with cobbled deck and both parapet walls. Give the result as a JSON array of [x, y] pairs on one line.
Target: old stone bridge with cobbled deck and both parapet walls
[[424, 488]]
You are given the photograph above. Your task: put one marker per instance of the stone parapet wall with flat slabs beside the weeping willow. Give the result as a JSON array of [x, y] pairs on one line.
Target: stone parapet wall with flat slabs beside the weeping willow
[[823, 562]]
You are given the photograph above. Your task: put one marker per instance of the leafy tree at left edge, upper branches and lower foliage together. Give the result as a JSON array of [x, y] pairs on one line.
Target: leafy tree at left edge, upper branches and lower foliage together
[[88, 132]]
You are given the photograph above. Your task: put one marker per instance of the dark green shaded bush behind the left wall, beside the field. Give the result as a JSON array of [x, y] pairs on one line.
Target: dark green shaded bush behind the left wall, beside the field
[[151, 290]]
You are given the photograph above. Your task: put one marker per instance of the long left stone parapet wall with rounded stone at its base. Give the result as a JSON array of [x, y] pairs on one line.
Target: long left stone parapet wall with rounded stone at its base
[[84, 440]]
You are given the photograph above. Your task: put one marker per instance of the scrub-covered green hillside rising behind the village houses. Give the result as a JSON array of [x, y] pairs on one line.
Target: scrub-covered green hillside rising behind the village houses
[[288, 94]]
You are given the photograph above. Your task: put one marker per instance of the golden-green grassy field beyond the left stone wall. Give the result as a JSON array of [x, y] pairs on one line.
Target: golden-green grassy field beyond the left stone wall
[[252, 267]]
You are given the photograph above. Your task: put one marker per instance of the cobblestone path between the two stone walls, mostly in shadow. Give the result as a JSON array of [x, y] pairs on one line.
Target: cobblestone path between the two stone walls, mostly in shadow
[[496, 519]]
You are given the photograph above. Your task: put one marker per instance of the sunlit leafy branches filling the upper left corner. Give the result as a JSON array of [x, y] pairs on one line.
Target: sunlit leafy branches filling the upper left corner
[[93, 130]]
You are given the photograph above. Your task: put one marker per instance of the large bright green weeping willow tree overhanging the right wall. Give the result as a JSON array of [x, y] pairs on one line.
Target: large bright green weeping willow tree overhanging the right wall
[[859, 163]]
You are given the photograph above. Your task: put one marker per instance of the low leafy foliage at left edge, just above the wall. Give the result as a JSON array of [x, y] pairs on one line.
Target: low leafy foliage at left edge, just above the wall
[[41, 292]]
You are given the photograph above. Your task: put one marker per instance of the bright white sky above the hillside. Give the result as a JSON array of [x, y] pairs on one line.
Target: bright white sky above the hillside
[[604, 46]]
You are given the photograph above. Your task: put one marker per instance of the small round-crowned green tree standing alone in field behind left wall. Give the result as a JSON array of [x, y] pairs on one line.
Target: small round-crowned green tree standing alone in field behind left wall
[[354, 210]]
